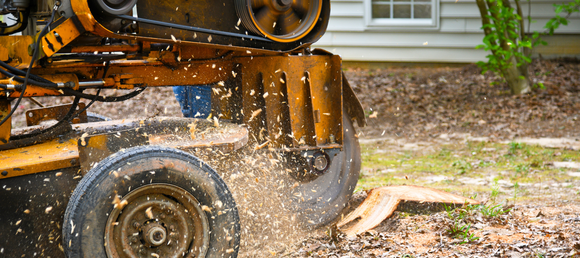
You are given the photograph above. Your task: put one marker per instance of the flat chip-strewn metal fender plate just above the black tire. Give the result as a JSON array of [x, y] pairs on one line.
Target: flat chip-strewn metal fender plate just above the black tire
[[180, 133]]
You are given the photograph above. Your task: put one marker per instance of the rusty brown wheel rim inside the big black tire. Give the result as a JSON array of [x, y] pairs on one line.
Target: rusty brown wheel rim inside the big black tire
[[157, 219]]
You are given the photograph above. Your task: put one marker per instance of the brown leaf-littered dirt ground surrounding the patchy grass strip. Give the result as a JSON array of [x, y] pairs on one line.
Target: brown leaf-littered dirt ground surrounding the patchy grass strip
[[425, 109]]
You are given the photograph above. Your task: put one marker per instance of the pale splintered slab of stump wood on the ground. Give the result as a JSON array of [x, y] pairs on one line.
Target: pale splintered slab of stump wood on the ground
[[383, 201]]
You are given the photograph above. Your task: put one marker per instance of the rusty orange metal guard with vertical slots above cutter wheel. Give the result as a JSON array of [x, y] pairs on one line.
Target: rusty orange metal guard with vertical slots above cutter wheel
[[304, 90]]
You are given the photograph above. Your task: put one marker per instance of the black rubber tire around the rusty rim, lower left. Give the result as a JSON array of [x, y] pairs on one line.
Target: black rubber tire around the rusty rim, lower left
[[91, 202]]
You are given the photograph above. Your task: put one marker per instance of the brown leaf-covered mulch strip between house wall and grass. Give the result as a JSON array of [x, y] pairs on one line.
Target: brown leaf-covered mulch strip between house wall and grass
[[426, 102]]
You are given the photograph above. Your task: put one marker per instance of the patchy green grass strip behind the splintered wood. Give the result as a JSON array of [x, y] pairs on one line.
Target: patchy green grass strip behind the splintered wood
[[514, 162]]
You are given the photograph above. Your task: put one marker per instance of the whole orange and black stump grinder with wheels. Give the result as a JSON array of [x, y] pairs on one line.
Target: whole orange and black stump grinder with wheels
[[77, 185]]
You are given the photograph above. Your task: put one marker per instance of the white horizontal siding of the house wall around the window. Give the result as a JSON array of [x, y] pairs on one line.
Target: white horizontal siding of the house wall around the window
[[452, 40]]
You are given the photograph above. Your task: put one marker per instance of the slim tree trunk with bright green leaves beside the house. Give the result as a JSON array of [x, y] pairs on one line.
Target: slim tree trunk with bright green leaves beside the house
[[508, 42]]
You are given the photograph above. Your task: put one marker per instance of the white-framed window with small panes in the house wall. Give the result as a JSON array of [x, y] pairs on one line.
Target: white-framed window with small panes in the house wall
[[421, 14]]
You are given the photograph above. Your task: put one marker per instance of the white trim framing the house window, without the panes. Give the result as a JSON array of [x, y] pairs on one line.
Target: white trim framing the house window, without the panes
[[401, 24]]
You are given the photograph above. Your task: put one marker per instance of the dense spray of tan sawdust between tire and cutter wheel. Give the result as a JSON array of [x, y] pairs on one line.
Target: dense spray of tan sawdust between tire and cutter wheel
[[261, 187]]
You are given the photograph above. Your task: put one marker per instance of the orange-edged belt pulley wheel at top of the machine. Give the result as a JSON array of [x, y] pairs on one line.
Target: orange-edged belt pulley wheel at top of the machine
[[279, 20]]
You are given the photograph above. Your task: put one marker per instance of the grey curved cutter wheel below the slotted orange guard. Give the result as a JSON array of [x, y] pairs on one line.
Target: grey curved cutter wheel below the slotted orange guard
[[321, 200]]
